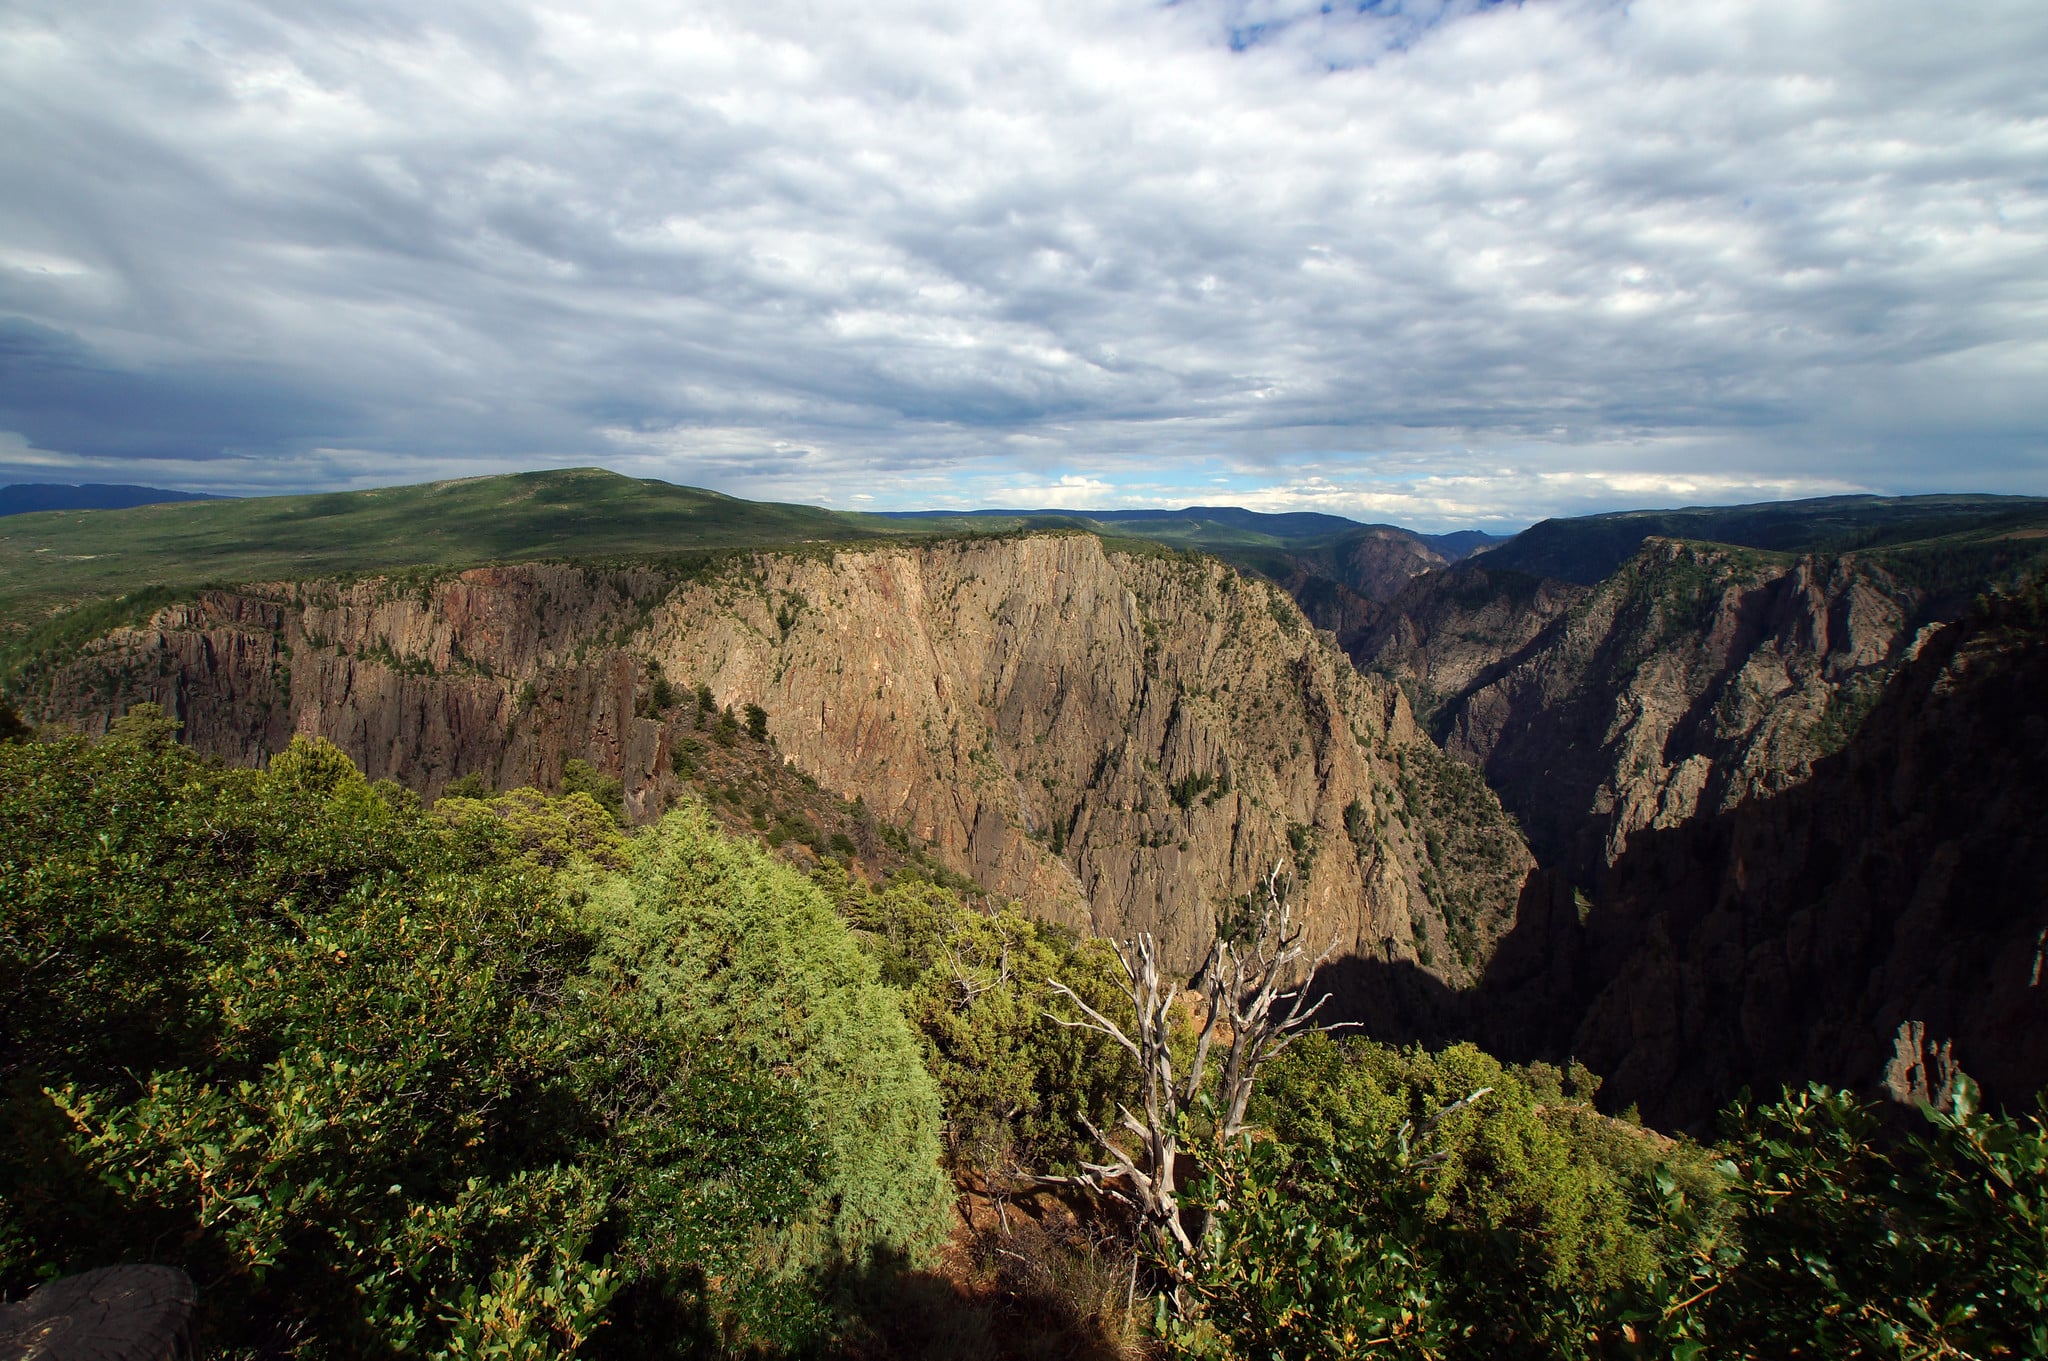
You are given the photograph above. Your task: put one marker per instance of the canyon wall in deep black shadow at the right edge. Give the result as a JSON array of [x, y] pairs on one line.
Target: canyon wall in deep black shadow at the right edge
[[1879, 924]]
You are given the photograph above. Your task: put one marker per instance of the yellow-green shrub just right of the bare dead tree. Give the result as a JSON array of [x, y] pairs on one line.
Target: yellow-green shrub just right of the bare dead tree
[[1525, 1219]]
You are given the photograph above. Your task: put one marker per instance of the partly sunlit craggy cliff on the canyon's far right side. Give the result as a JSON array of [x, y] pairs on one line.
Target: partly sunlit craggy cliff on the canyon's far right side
[[1691, 680]]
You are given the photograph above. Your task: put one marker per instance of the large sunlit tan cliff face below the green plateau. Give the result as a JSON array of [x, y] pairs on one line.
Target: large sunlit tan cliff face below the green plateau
[[1121, 740]]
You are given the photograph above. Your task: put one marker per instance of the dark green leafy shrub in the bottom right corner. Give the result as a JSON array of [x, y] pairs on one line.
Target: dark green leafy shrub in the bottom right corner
[[1848, 1247]]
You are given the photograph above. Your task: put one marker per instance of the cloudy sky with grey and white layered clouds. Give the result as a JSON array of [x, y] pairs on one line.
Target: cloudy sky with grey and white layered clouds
[[1443, 263]]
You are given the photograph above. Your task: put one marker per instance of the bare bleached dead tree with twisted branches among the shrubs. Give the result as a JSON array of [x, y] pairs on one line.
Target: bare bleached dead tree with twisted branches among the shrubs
[[1254, 1000]]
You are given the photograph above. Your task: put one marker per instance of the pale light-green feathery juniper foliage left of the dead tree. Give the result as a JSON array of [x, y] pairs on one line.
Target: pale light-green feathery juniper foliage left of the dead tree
[[732, 938]]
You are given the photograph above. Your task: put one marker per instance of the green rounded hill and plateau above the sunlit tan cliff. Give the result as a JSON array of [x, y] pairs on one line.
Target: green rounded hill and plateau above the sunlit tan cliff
[[79, 572]]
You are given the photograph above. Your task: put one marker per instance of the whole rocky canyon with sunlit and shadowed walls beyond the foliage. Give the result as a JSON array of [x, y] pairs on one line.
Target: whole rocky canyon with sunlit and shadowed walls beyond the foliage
[[1693, 811]]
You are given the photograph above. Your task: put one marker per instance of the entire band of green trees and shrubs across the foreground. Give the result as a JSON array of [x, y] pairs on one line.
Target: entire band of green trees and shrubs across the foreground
[[497, 1078]]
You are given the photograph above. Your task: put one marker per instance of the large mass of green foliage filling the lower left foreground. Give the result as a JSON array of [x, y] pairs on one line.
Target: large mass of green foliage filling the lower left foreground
[[380, 1084]]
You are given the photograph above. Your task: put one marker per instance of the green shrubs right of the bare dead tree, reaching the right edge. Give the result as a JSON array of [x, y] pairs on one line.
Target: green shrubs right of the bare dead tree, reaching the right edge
[[1529, 1227]]
